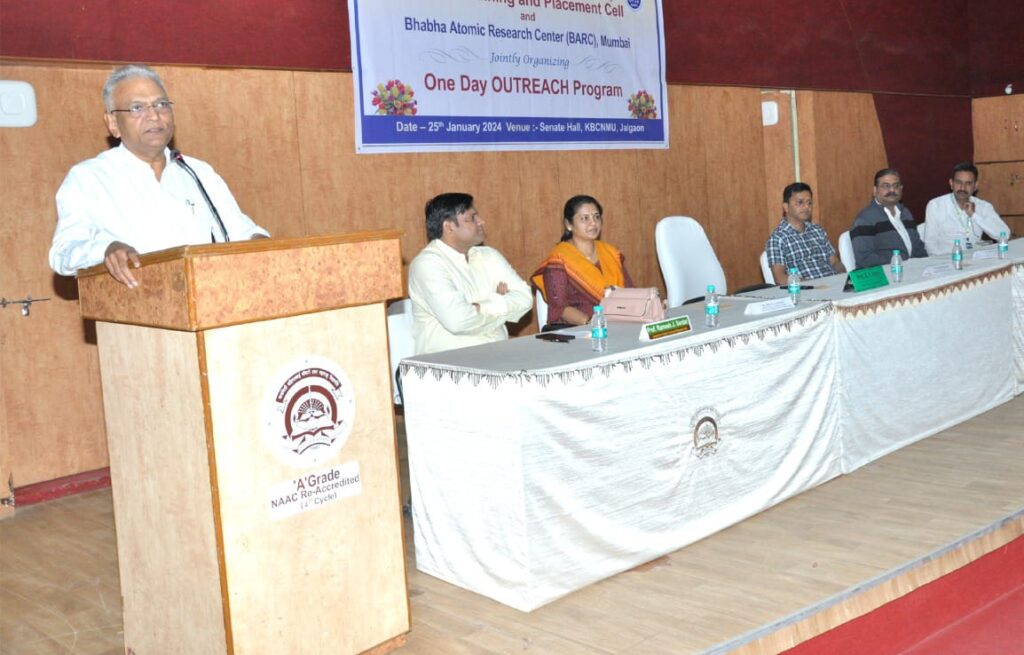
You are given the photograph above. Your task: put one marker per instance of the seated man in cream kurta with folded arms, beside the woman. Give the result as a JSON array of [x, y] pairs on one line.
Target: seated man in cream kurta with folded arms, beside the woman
[[463, 293]]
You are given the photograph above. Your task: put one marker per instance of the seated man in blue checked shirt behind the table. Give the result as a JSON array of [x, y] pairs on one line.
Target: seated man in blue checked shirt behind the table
[[798, 242]]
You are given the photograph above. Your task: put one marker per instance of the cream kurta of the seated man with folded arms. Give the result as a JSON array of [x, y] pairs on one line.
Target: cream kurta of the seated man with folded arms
[[444, 286]]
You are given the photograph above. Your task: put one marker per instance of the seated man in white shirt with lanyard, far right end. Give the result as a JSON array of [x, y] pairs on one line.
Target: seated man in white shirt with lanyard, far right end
[[961, 215]]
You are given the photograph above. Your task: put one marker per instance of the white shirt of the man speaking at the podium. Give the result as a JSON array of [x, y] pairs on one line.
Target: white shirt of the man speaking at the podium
[[116, 197]]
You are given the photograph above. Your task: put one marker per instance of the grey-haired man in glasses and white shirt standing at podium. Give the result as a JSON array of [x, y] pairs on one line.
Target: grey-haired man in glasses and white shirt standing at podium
[[141, 197]]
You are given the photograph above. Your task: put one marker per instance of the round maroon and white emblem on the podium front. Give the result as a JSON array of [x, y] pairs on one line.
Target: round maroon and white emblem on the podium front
[[309, 412]]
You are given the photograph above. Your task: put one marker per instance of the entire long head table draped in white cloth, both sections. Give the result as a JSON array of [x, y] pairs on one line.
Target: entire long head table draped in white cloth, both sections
[[538, 468]]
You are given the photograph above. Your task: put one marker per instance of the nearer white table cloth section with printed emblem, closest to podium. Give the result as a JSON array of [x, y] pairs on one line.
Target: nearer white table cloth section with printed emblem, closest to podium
[[539, 468]]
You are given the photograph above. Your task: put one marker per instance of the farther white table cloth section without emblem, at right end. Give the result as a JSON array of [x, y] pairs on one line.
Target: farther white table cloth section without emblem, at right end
[[919, 357]]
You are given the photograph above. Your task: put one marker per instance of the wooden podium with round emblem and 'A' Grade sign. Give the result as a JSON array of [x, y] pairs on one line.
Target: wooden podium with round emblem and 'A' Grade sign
[[249, 420]]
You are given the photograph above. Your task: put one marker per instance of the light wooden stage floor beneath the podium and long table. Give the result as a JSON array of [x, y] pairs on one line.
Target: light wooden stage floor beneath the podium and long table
[[759, 587]]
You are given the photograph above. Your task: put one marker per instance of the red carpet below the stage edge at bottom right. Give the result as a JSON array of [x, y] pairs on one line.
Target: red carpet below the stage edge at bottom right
[[977, 609]]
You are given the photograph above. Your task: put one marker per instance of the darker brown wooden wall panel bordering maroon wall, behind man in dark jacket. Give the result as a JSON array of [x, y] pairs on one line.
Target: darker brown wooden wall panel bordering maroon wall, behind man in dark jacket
[[848, 150]]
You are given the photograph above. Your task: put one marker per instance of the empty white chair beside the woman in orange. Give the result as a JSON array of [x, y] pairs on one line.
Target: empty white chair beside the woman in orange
[[688, 260]]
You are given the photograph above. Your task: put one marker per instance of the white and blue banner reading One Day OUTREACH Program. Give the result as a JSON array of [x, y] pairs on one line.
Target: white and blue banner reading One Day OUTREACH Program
[[510, 75]]
